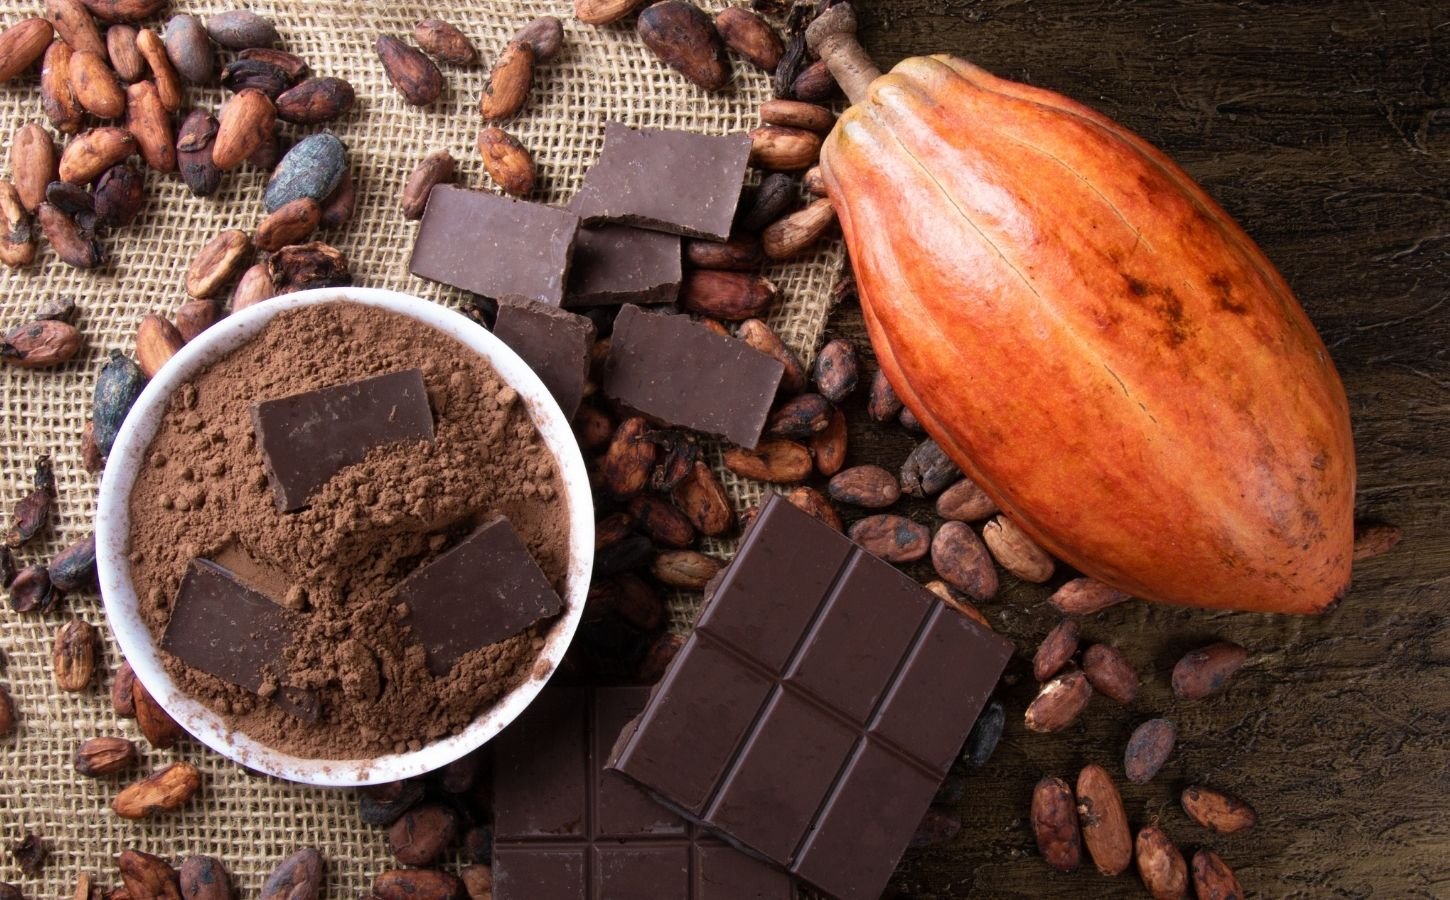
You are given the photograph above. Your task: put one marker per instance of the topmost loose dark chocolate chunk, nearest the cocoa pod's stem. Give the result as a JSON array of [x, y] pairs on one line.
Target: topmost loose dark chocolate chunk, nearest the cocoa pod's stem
[[684, 183]]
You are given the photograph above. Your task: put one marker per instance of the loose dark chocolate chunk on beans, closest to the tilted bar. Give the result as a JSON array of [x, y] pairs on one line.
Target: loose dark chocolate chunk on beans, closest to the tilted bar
[[681, 372]]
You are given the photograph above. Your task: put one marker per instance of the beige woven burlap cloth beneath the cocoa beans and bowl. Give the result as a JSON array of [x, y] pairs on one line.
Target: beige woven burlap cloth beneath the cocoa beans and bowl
[[247, 821]]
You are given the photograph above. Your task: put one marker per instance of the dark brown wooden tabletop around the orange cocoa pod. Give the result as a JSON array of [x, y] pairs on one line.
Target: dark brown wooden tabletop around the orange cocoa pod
[[1325, 128]]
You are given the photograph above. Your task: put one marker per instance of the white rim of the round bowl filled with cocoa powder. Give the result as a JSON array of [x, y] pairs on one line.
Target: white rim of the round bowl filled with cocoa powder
[[114, 527]]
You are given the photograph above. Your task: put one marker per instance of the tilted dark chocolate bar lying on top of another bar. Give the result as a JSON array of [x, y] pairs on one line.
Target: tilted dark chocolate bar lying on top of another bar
[[817, 708]]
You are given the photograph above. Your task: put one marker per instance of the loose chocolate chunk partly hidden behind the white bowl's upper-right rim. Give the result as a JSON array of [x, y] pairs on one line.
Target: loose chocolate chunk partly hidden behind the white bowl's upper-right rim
[[553, 343]]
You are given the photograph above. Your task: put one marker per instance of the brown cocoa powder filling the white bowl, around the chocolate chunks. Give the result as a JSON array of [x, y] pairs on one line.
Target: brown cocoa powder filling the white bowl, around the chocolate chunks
[[204, 493]]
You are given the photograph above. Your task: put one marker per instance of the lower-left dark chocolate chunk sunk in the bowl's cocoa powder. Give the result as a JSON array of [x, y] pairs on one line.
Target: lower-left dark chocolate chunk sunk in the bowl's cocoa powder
[[224, 628]]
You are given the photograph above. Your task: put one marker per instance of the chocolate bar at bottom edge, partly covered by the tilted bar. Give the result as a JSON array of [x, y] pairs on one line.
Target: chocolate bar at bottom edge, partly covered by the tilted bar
[[568, 830]]
